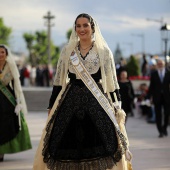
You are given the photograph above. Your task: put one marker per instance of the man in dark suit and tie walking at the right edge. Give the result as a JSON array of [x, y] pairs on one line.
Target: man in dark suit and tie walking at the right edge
[[159, 92]]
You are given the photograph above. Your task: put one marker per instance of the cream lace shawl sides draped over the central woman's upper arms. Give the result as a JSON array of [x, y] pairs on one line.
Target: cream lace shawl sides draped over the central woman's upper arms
[[107, 65]]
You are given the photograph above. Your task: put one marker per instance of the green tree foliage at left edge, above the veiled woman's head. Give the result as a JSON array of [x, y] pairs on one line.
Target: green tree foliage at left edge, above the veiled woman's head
[[4, 33]]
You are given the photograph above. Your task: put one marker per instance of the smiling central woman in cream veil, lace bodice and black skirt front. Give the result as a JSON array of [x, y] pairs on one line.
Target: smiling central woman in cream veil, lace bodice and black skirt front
[[79, 133]]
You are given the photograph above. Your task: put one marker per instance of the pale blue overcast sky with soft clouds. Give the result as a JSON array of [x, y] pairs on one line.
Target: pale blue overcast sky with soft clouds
[[118, 20]]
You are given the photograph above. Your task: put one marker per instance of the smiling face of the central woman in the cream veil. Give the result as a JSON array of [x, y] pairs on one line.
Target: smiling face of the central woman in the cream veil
[[83, 28]]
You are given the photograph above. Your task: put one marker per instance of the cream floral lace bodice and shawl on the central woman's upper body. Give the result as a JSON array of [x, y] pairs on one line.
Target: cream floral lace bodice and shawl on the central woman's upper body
[[93, 61]]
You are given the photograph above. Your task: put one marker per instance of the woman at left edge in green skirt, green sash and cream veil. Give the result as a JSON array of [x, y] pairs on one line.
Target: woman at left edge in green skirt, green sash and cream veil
[[14, 134]]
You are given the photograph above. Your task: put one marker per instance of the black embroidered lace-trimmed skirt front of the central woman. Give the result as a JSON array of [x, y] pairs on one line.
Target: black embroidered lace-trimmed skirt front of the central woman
[[80, 131]]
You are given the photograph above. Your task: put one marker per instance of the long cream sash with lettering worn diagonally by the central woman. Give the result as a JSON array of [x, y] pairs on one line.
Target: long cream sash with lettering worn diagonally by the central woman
[[103, 101]]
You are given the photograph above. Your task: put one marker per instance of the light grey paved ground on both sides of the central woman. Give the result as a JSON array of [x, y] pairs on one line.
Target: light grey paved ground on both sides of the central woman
[[149, 151]]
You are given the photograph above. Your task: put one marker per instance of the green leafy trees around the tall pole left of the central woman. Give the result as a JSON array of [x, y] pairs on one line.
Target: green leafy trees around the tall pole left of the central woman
[[37, 45]]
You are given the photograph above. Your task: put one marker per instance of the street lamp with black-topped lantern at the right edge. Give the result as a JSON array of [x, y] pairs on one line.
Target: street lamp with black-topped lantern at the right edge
[[165, 37]]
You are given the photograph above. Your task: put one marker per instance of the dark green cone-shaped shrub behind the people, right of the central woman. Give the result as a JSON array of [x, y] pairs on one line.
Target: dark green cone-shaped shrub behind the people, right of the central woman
[[133, 66]]
